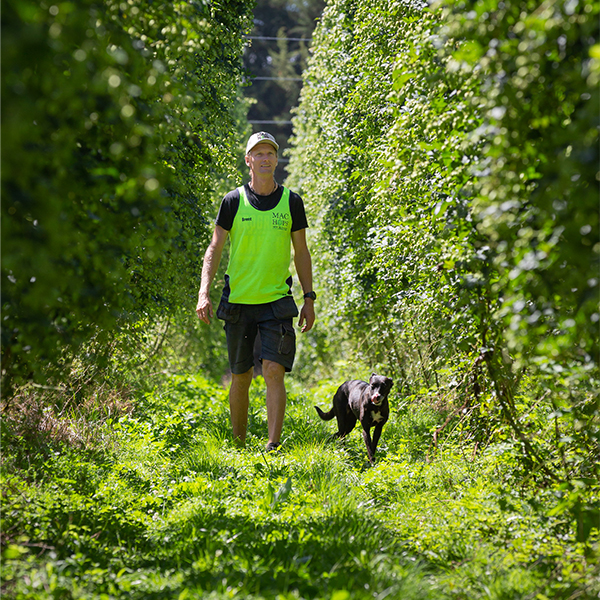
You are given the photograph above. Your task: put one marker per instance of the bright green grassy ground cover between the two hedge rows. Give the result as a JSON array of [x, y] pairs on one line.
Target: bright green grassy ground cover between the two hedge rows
[[159, 503]]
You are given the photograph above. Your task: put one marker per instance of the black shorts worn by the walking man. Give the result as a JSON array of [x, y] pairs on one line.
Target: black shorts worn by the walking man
[[272, 320]]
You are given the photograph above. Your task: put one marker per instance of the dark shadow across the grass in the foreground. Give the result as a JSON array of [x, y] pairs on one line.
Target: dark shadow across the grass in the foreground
[[313, 556]]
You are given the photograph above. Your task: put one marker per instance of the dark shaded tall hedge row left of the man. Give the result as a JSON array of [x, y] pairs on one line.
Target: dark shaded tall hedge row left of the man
[[119, 122]]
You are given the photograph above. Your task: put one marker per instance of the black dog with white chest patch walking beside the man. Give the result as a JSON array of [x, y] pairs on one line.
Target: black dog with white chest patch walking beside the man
[[364, 401]]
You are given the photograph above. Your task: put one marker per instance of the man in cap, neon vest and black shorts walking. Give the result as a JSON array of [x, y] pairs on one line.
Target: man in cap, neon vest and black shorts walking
[[261, 218]]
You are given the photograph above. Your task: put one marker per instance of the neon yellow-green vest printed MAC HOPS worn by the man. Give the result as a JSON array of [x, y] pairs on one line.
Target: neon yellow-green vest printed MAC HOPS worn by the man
[[259, 258]]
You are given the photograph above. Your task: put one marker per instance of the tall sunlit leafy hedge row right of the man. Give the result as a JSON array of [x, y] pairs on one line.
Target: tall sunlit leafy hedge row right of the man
[[449, 154]]
